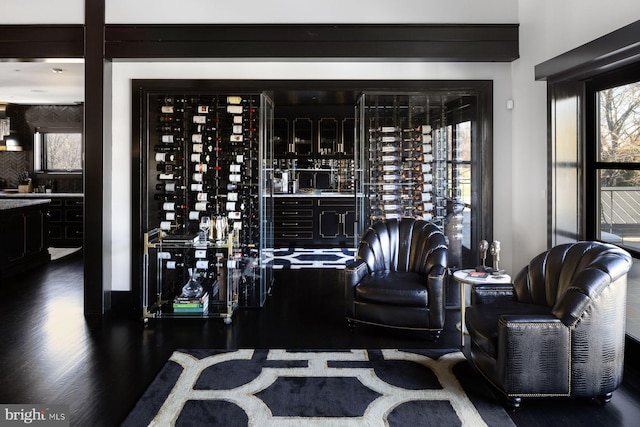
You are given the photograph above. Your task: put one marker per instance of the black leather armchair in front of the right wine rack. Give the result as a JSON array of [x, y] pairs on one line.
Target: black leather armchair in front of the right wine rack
[[398, 277]]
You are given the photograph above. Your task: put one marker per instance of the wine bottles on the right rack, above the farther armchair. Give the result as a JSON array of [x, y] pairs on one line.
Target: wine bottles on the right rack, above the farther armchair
[[407, 173]]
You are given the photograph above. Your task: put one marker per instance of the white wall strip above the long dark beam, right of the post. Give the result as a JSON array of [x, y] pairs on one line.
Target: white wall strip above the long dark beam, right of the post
[[310, 11]]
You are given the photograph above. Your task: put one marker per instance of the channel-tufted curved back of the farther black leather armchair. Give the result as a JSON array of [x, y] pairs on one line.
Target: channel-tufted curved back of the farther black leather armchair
[[403, 245]]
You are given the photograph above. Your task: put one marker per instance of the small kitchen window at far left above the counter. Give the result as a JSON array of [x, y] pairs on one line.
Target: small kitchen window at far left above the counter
[[58, 152]]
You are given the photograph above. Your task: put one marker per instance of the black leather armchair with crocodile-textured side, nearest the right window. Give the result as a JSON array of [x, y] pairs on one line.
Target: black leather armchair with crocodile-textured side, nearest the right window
[[558, 330]]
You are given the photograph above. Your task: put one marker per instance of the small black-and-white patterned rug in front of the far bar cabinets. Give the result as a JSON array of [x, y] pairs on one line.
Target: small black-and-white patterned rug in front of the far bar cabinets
[[298, 258]]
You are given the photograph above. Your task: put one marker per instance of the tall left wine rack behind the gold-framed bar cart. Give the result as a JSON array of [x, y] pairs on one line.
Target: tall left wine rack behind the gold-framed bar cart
[[205, 207]]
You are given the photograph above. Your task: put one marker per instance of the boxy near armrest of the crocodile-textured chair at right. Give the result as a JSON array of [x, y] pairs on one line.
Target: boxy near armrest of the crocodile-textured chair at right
[[534, 352]]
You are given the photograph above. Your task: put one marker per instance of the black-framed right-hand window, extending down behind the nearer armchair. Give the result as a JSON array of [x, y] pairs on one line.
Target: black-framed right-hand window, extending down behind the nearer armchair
[[613, 172]]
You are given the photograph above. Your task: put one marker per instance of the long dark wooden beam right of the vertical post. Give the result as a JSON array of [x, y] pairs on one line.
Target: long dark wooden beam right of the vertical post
[[419, 42]]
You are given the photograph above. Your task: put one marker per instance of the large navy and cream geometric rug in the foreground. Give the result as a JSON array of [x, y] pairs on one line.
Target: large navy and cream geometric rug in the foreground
[[283, 388]]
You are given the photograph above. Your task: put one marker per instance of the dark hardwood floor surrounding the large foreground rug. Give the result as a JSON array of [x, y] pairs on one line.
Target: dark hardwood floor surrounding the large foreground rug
[[51, 354]]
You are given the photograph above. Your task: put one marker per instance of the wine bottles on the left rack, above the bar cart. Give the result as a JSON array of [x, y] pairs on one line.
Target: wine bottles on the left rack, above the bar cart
[[206, 159]]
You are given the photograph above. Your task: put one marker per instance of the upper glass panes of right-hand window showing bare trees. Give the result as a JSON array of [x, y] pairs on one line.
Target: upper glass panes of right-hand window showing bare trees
[[617, 166]]
